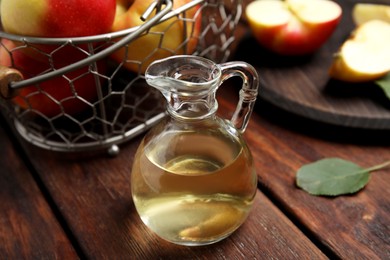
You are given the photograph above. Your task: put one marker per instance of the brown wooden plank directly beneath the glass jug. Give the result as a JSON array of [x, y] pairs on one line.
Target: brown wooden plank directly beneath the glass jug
[[95, 198]]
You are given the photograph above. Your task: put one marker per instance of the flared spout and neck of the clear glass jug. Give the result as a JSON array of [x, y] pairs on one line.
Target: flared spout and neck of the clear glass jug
[[189, 84]]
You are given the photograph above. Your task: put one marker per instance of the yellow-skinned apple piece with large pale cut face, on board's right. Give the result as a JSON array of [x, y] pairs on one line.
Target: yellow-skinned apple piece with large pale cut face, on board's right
[[365, 56]]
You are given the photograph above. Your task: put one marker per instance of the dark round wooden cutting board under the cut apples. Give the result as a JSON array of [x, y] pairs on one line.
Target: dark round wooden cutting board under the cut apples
[[302, 85]]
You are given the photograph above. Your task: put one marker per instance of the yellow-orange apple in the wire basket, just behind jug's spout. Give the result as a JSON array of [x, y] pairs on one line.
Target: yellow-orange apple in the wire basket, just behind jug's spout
[[173, 36]]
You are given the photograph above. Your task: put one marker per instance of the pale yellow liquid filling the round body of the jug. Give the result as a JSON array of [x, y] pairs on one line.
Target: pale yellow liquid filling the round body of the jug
[[193, 189]]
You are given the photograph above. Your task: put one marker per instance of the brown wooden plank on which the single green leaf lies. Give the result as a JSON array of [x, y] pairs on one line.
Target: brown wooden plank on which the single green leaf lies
[[353, 227]]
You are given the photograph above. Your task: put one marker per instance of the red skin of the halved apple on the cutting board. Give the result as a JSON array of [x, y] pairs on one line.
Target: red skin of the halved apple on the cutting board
[[295, 36]]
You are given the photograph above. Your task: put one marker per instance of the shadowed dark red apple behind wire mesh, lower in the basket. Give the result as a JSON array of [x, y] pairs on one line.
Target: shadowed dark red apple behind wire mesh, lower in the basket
[[58, 88]]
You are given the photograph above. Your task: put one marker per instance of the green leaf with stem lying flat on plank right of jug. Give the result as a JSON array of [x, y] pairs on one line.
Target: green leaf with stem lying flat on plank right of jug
[[333, 177]]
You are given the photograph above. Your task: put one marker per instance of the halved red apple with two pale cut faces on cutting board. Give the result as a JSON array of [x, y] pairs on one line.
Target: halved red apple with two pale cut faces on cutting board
[[293, 27]]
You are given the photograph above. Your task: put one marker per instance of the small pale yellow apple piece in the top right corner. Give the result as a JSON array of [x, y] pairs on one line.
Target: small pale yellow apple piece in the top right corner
[[363, 12]]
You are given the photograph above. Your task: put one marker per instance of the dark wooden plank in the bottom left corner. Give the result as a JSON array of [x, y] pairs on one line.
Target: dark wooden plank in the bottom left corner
[[28, 228]]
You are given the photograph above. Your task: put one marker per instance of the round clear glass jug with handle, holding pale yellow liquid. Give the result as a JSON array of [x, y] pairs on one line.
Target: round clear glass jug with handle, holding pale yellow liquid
[[193, 181]]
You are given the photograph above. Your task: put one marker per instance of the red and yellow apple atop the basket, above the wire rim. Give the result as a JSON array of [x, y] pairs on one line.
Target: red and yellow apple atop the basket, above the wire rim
[[57, 18]]
